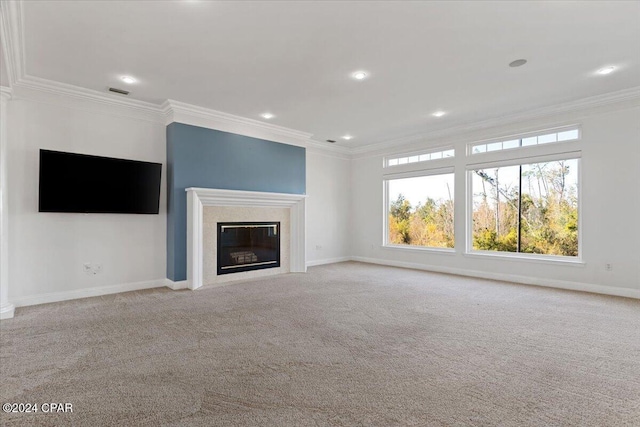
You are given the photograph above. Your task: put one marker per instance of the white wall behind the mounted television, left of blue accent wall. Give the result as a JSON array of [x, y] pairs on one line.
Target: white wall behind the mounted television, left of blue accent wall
[[48, 250]]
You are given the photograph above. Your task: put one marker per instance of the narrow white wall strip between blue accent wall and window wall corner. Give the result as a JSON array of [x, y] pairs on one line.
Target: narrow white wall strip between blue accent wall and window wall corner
[[327, 207]]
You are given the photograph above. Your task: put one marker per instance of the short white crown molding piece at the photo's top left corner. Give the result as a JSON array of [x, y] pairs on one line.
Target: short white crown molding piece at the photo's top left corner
[[11, 35]]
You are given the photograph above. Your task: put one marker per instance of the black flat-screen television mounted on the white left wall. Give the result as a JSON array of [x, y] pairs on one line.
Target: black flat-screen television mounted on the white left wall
[[72, 182]]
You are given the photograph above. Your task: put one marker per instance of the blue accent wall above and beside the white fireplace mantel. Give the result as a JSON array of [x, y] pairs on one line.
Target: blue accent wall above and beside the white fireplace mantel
[[200, 157]]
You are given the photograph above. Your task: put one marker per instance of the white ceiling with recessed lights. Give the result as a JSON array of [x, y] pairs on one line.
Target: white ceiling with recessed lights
[[294, 59]]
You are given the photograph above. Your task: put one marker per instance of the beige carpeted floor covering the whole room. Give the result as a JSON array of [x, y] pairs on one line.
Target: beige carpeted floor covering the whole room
[[345, 345]]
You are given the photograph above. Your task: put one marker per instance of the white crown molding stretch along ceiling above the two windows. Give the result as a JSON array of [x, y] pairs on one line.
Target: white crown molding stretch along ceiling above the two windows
[[608, 100]]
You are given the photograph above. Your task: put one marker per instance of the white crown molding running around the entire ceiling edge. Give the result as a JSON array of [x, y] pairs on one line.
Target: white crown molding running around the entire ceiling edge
[[12, 38]]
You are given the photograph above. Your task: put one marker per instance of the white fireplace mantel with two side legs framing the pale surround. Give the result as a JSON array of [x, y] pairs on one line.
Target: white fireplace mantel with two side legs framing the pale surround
[[197, 198]]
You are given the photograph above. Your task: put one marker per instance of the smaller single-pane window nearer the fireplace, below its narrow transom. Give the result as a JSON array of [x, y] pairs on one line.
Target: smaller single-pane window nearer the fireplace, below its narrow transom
[[420, 211]]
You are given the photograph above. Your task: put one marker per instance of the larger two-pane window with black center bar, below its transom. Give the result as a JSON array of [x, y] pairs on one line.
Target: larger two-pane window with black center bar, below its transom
[[528, 208]]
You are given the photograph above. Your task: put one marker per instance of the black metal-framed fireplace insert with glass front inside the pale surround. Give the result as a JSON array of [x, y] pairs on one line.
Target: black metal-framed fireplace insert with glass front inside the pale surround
[[247, 246]]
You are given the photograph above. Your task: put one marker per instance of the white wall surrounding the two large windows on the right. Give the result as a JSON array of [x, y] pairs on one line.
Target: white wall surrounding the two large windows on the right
[[610, 206]]
